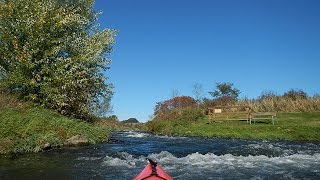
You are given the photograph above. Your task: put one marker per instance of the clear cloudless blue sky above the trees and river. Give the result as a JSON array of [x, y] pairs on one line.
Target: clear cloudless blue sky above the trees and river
[[168, 45]]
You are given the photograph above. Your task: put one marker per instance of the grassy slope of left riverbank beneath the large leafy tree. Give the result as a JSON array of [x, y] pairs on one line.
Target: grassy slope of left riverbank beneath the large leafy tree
[[26, 128]]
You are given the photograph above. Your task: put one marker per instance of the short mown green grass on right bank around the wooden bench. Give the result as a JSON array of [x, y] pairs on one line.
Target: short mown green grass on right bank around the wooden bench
[[289, 126]]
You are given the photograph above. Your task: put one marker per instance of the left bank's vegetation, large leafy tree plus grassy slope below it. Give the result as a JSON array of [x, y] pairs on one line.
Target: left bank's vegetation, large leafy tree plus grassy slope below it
[[52, 73]]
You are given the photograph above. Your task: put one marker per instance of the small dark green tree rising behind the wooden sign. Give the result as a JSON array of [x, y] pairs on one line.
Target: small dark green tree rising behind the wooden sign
[[225, 93]]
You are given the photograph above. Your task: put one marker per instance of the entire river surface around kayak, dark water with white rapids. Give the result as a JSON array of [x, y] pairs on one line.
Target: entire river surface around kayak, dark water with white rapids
[[181, 157]]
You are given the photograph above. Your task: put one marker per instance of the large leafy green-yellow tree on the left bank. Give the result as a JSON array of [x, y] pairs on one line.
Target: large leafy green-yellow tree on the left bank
[[53, 53]]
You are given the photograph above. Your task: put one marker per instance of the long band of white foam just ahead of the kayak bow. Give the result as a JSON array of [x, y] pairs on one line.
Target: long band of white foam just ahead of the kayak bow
[[221, 163]]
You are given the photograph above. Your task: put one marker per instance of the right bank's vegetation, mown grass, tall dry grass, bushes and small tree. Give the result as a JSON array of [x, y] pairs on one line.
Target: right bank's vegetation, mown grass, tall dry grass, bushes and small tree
[[298, 116]]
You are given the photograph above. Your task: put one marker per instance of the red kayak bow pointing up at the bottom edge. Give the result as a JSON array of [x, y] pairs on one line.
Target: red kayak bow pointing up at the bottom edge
[[152, 172]]
